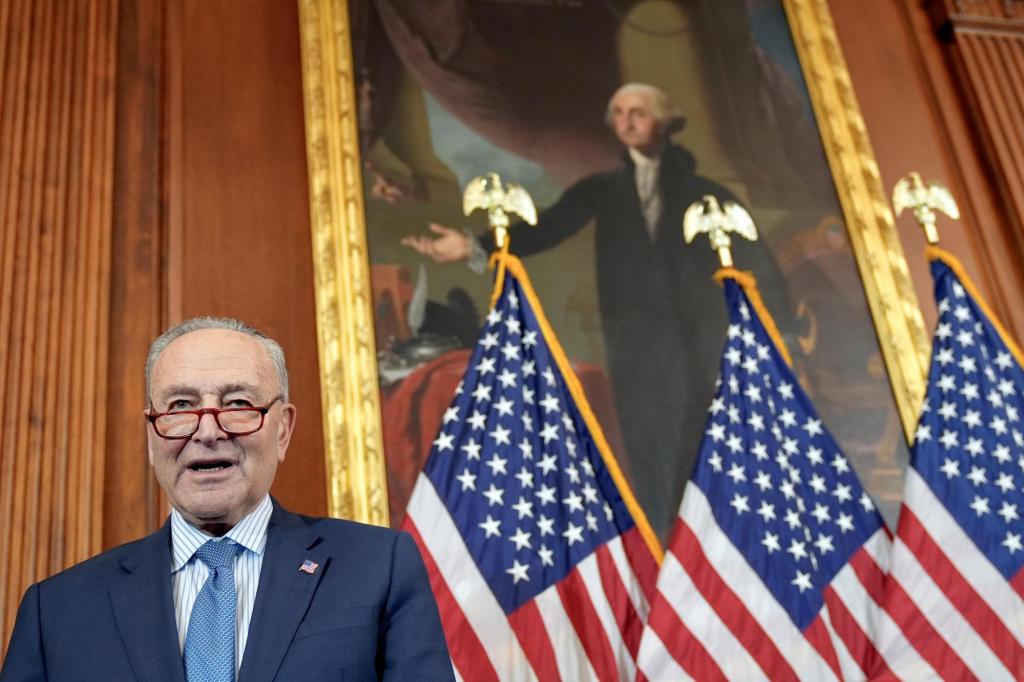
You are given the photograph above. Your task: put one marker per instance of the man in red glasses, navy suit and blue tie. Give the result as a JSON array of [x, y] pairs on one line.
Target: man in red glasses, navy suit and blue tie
[[233, 586]]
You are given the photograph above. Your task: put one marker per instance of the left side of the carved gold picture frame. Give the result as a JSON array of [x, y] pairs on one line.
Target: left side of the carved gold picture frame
[[356, 475]]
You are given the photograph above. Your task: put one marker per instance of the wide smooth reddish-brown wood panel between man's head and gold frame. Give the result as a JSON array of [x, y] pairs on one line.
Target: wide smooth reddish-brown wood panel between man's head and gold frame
[[241, 244]]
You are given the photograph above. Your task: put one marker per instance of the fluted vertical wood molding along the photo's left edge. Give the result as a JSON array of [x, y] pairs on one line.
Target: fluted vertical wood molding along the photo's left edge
[[57, 163]]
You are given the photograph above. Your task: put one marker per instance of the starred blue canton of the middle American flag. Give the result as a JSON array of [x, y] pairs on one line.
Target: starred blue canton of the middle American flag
[[777, 482]]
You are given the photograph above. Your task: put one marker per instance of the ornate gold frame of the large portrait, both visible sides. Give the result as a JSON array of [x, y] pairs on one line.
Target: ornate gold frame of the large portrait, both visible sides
[[353, 432]]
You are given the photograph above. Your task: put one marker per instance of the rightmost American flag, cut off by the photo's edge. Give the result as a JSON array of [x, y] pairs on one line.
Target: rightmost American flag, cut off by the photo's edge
[[957, 583]]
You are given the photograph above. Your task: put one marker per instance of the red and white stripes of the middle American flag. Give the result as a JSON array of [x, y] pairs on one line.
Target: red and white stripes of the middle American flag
[[715, 619]]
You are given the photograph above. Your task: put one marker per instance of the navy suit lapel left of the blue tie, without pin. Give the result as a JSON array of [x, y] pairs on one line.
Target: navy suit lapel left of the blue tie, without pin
[[145, 610]]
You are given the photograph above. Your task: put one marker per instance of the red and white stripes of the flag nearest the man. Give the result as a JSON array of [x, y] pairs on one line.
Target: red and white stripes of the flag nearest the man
[[587, 627]]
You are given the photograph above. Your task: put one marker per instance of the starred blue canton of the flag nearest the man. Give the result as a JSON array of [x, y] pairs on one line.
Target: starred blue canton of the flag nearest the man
[[516, 464]]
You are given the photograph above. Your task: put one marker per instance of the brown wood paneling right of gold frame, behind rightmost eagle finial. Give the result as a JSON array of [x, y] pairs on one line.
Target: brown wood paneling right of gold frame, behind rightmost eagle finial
[[919, 119]]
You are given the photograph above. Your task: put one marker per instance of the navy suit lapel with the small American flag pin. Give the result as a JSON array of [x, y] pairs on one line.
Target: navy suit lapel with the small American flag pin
[[284, 593]]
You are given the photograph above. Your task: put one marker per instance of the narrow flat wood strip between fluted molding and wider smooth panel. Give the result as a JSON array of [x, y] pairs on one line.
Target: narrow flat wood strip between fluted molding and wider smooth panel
[[139, 277]]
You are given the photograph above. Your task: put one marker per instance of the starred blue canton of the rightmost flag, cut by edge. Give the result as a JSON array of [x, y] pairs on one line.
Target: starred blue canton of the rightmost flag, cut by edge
[[969, 446]]
